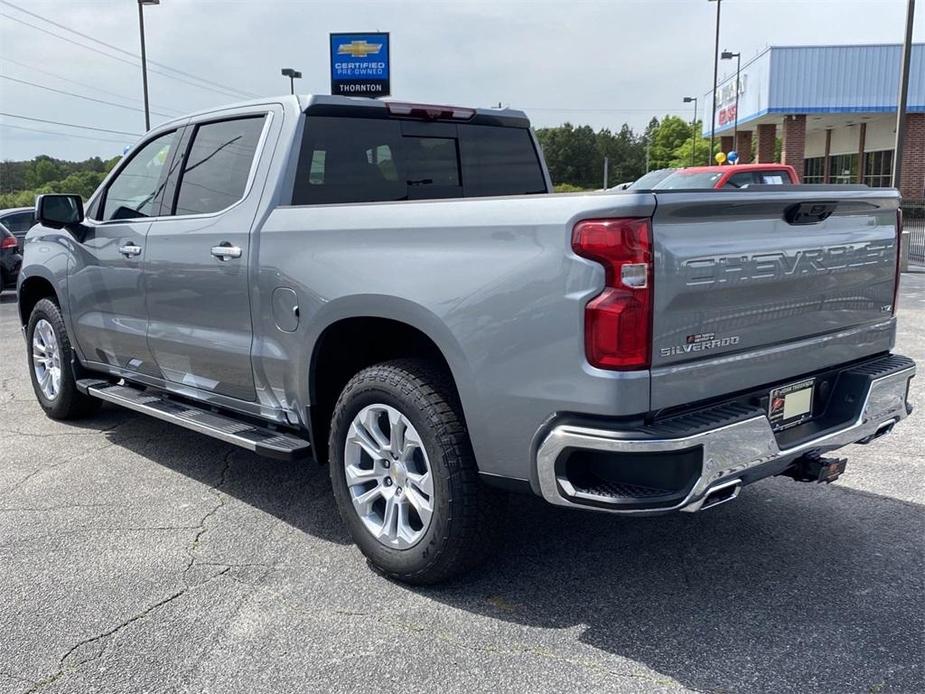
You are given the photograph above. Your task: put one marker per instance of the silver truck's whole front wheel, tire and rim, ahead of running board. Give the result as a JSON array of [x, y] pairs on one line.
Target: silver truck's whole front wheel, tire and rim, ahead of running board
[[50, 356]]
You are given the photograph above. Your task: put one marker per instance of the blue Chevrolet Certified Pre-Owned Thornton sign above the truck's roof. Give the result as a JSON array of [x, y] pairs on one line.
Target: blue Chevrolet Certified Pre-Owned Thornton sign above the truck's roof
[[360, 64]]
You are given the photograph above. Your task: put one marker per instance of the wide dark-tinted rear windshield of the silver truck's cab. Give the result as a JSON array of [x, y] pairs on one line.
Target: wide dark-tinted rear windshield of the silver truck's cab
[[347, 160]]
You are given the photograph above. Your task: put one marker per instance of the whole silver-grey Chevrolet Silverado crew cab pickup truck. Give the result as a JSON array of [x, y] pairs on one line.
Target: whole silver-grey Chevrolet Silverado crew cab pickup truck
[[391, 289]]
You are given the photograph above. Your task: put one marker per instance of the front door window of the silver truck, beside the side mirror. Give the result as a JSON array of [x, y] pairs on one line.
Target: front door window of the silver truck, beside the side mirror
[[135, 191]]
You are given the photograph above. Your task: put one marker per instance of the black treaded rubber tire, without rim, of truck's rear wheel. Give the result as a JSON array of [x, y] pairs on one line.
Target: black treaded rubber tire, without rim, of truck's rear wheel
[[464, 527]]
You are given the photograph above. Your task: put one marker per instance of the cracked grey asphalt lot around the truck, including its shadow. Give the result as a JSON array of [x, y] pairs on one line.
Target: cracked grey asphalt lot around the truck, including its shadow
[[139, 557]]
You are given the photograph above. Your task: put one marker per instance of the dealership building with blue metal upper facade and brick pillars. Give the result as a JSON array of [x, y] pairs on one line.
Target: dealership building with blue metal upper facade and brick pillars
[[833, 107]]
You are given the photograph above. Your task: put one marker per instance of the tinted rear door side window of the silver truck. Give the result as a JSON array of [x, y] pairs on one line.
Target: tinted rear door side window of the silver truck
[[218, 165]]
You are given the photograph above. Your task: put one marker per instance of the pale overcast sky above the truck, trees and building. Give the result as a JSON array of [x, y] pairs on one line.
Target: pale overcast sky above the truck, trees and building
[[602, 63]]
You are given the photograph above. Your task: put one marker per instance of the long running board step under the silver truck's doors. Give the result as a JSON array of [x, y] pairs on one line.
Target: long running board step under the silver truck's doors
[[261, 440]]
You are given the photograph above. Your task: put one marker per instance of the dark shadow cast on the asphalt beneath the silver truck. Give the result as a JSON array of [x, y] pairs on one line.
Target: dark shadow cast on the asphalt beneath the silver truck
[[793, 587]]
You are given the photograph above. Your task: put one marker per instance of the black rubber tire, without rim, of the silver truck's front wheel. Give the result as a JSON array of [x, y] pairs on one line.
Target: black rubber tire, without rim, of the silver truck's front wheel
[[68, 402]]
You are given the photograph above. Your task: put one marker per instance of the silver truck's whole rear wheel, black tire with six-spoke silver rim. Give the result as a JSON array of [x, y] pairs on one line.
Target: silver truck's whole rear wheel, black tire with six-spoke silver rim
[[404, 475]]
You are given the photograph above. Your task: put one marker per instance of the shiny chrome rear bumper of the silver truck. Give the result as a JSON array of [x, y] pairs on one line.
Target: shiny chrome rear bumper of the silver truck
[[728, 451]]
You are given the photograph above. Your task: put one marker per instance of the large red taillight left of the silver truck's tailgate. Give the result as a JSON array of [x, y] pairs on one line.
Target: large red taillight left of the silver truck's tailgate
[[618, 321]]
